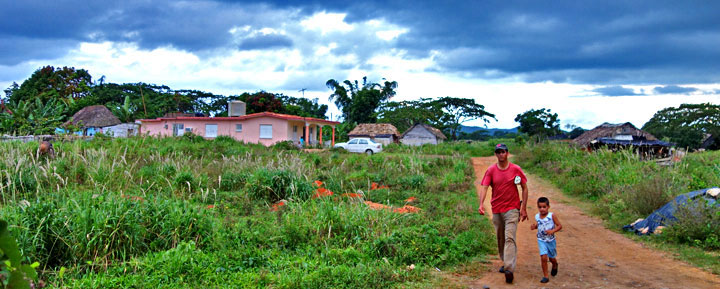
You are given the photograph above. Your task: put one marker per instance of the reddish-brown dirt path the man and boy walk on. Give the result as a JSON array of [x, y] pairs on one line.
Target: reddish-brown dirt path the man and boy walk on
[[589, 255]]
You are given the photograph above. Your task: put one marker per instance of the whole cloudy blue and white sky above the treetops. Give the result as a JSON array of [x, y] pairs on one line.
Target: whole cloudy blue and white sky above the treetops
[[589, 61]]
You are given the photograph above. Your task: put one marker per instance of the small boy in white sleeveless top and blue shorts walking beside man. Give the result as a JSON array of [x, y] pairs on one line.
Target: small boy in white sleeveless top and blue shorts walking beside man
[[547, 225]]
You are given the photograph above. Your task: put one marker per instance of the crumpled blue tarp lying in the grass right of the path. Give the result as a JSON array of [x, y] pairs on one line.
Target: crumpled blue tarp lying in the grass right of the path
[[666, 214]]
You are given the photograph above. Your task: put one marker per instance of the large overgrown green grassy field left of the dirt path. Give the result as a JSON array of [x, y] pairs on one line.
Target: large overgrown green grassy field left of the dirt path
[[189, 212]]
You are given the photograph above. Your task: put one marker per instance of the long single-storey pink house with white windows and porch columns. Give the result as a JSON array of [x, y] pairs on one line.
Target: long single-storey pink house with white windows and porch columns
[[265, 127]]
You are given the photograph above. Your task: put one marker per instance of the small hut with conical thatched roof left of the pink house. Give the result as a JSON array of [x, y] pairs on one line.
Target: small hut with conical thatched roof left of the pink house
[[91, 120]]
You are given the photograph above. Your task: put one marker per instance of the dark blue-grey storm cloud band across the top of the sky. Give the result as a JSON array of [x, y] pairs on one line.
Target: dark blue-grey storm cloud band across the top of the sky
[[608, 42]]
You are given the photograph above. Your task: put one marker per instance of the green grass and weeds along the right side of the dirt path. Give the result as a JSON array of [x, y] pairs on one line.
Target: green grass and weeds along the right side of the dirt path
[[622, 188]]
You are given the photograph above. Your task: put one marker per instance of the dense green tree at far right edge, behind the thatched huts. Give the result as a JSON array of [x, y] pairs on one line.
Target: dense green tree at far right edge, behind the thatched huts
[[686, 125]]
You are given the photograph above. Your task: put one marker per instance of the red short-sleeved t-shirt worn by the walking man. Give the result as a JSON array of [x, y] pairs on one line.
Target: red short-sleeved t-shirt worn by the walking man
[[505, 195]]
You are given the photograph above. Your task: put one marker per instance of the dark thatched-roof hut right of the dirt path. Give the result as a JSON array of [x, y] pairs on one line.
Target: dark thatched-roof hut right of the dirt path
[[623, 136]]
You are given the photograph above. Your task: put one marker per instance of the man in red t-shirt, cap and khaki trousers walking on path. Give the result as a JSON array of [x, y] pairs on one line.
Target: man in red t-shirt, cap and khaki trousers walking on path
[[507, 208]]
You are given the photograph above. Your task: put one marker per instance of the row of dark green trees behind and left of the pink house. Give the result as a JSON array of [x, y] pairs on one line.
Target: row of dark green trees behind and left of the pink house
[[50, 96]]
